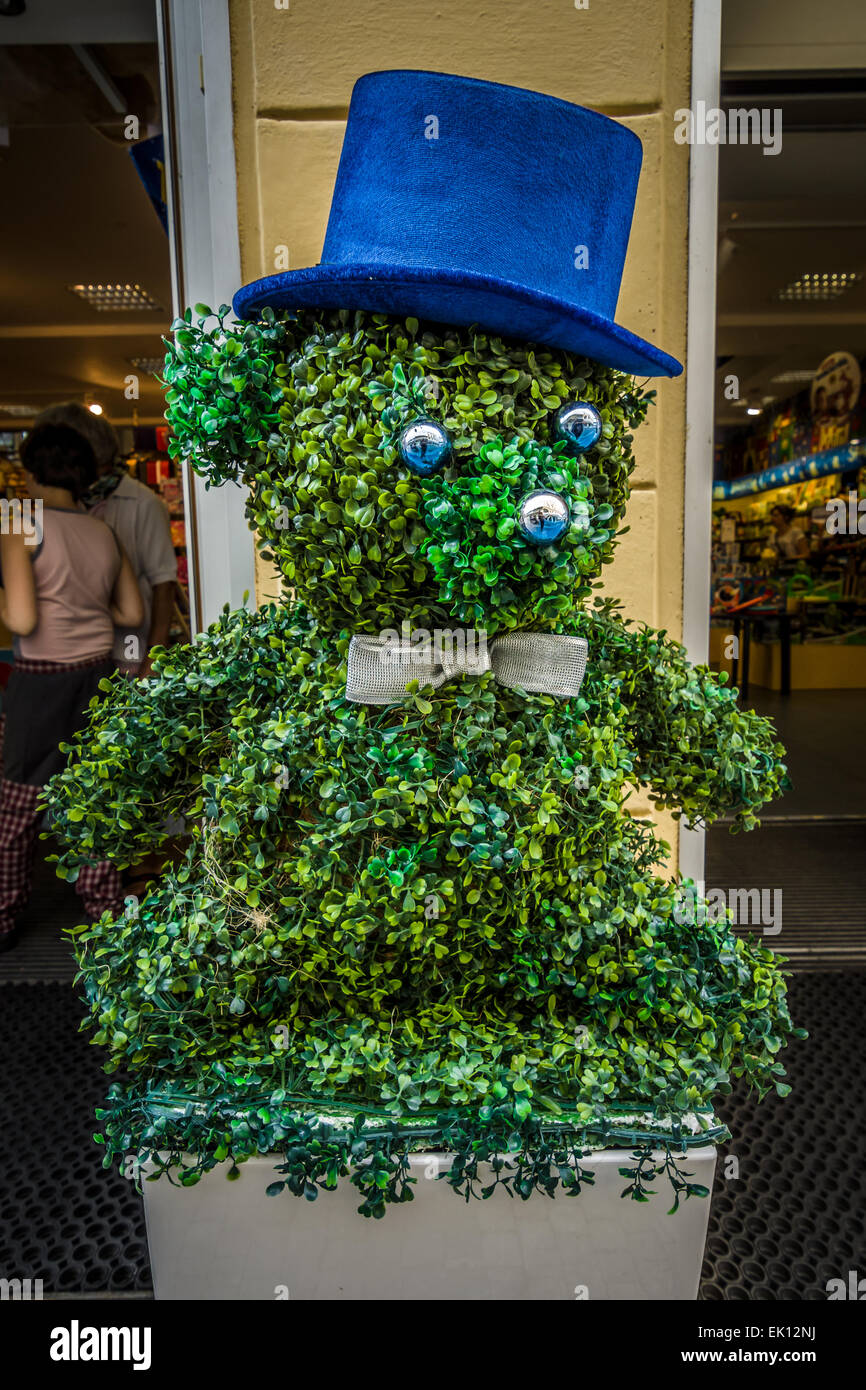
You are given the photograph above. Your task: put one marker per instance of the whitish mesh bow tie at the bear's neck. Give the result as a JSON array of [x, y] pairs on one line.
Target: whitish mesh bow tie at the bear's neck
[[548, 664]]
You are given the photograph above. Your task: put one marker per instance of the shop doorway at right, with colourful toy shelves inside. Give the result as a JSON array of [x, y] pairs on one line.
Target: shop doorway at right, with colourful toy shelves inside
[[789, 512]]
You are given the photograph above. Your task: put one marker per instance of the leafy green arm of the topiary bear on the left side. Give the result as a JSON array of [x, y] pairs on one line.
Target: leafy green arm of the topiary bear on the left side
[[147, 765]]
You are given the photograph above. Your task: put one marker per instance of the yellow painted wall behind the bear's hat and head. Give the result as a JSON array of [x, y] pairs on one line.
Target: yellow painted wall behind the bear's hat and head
[[294, 70]]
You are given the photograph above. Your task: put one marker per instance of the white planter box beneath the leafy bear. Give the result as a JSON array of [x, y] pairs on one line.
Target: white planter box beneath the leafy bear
[[230, 1241]]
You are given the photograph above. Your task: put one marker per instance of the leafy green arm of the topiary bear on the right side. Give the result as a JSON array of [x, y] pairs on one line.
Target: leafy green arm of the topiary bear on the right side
[[697, 751]]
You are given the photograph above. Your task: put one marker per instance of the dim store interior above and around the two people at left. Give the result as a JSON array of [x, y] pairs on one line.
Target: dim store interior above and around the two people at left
[[87, 298]]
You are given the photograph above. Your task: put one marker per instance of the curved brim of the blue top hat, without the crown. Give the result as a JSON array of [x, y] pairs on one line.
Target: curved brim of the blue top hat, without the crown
[[462, 298]]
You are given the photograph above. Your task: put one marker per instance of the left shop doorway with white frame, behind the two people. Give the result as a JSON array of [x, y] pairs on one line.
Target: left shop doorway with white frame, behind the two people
[[112, 158]]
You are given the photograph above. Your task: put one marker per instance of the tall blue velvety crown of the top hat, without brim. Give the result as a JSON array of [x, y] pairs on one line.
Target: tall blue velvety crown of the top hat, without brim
[[448, 173]]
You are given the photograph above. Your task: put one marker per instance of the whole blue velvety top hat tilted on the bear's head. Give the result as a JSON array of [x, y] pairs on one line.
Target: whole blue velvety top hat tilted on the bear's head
[[469, 202]]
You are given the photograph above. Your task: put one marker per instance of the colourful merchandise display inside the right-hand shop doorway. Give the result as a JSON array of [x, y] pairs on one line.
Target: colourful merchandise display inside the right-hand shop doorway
[[790, 518]]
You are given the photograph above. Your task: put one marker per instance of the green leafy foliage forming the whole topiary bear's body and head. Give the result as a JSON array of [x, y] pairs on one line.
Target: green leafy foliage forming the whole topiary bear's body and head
[[430, 924]]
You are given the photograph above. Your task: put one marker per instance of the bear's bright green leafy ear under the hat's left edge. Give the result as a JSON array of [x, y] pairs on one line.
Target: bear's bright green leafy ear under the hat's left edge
[[224, 390]]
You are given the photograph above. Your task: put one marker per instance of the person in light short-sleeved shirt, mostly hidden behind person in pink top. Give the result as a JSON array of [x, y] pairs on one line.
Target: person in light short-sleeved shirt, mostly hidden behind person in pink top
[[140, 521]]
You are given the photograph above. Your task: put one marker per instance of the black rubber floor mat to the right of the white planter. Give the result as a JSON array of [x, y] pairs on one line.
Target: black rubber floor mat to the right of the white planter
[[796, 1217]]
